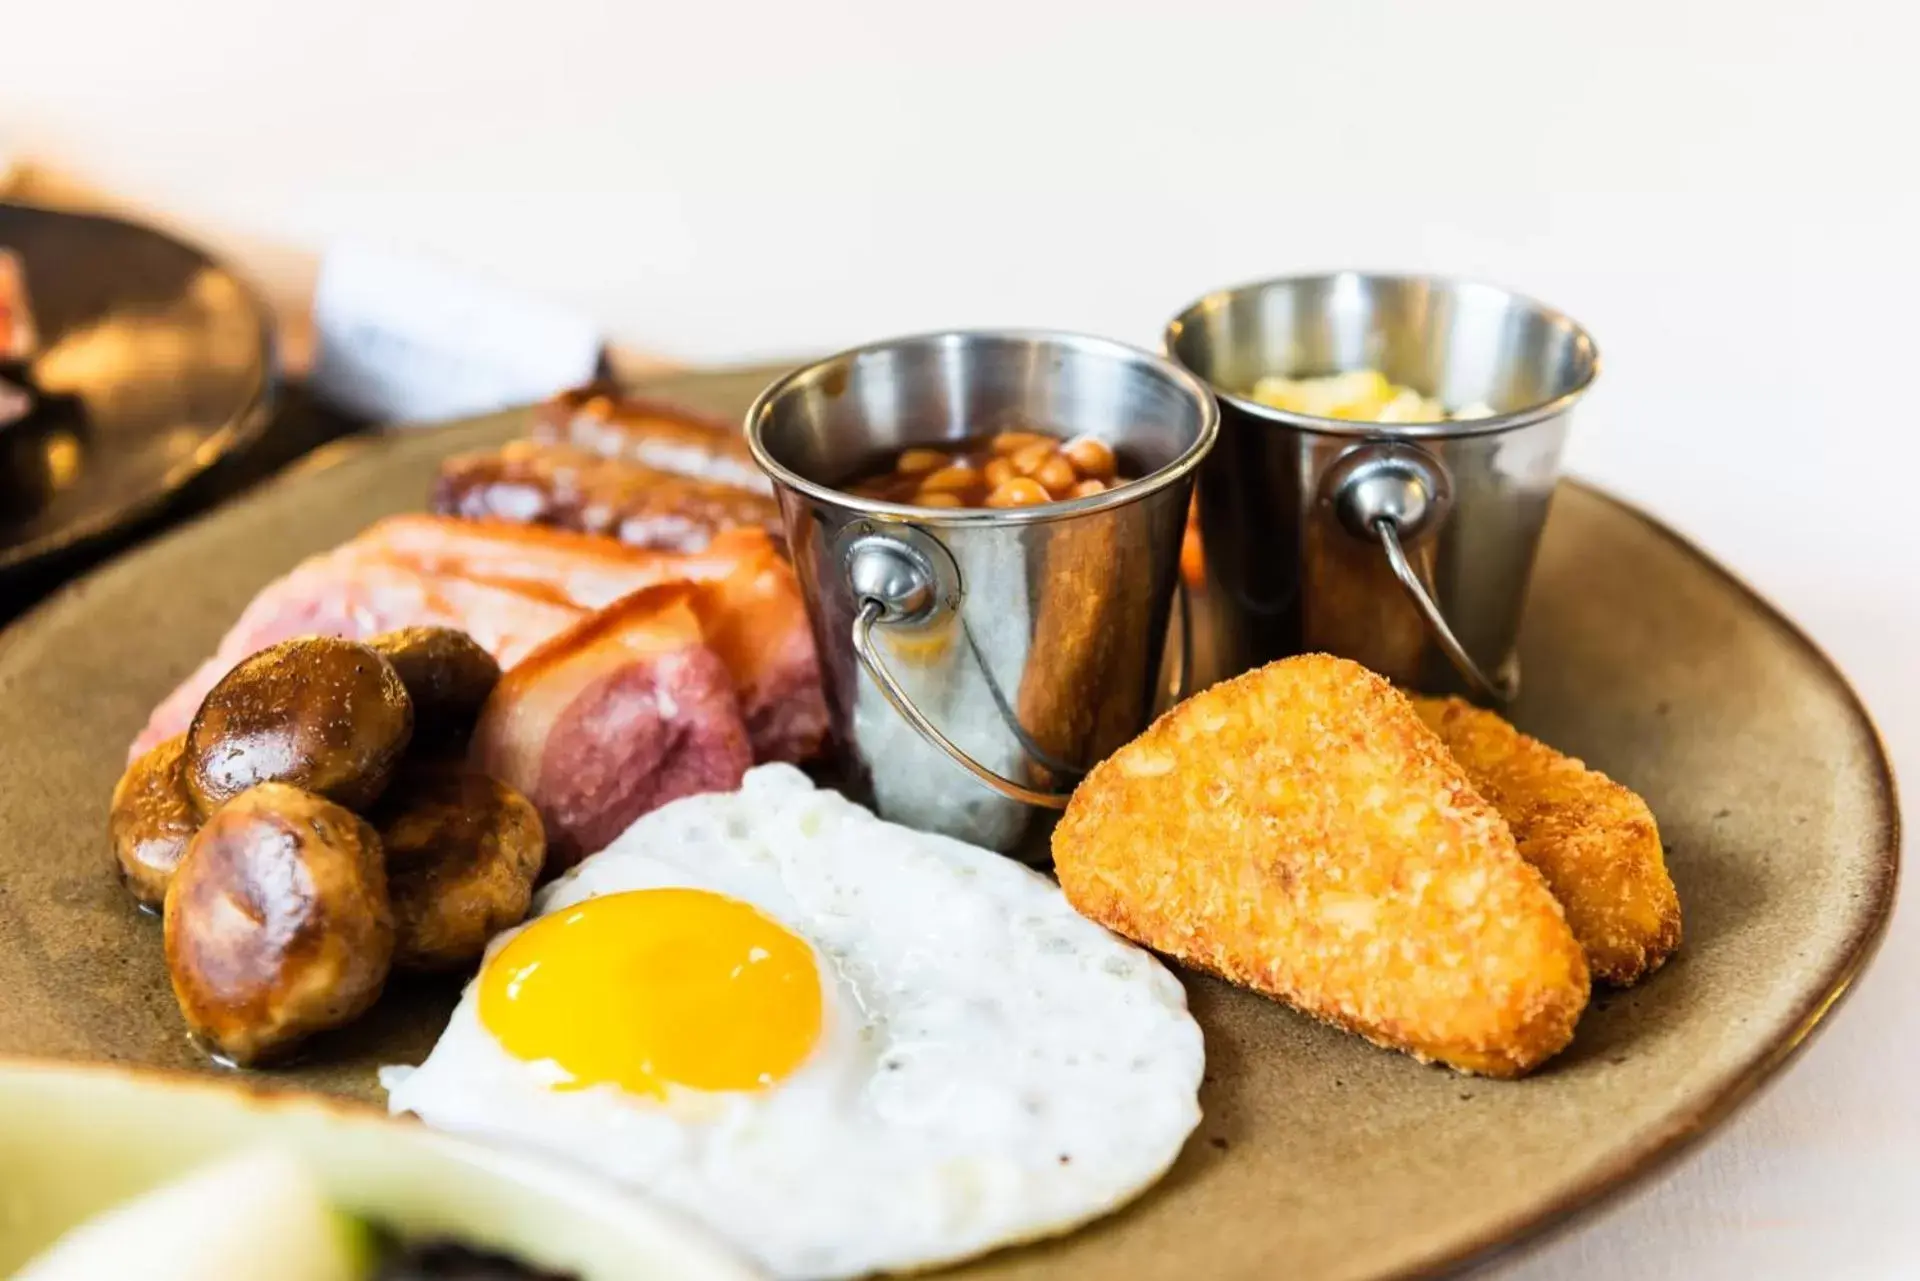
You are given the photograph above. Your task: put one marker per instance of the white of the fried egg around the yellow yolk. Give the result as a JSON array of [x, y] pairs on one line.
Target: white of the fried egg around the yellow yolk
[[992, 1067]]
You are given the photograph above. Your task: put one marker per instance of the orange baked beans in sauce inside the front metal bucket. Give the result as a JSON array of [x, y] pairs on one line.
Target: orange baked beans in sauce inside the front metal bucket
[[999, 470]]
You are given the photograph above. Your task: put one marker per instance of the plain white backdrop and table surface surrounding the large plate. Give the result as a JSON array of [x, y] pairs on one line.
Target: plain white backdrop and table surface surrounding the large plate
[[1723, 193]]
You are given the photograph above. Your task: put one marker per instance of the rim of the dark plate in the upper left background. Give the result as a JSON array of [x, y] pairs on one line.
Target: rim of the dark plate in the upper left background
[[243, 427]]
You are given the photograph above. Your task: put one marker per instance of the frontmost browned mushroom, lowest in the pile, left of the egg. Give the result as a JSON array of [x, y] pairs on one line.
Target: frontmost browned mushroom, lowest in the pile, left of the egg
[[277, 923]]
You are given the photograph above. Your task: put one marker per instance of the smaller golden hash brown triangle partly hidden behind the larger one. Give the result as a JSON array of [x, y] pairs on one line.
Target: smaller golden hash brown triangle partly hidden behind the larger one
[[1591, 838]]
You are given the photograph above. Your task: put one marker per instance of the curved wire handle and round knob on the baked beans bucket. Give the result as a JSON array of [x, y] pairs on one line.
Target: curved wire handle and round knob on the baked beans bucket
[[894, 583]]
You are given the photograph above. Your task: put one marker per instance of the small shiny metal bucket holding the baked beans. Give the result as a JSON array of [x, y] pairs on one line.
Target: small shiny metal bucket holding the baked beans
[[1019, 644]]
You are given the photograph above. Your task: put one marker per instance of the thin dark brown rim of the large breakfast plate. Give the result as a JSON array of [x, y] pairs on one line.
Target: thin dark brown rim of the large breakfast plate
[[1525, 1232]]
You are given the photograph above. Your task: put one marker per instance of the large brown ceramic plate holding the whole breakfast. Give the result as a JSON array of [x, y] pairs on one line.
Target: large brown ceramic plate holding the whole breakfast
[[1320, 1157]]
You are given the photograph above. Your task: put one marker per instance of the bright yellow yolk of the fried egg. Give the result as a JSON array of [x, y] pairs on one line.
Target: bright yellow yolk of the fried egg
[[656, 988]]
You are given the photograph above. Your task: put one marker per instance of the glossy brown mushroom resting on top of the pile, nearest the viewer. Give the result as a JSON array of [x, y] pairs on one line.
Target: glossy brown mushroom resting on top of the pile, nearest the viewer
[[318, 713]]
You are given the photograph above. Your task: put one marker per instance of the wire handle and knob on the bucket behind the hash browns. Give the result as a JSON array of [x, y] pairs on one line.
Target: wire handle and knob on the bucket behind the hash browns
[[1389, 493]]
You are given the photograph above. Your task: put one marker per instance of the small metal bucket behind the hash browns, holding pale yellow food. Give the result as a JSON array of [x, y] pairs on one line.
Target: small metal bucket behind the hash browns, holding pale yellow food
[[1403, 546]]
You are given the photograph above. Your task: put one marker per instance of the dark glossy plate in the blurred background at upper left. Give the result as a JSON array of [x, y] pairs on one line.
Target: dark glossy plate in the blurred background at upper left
[[155, 364]]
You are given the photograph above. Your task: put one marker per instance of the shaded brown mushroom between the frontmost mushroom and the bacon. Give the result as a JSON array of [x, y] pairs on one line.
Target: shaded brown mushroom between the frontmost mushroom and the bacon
[[462, 858]]
